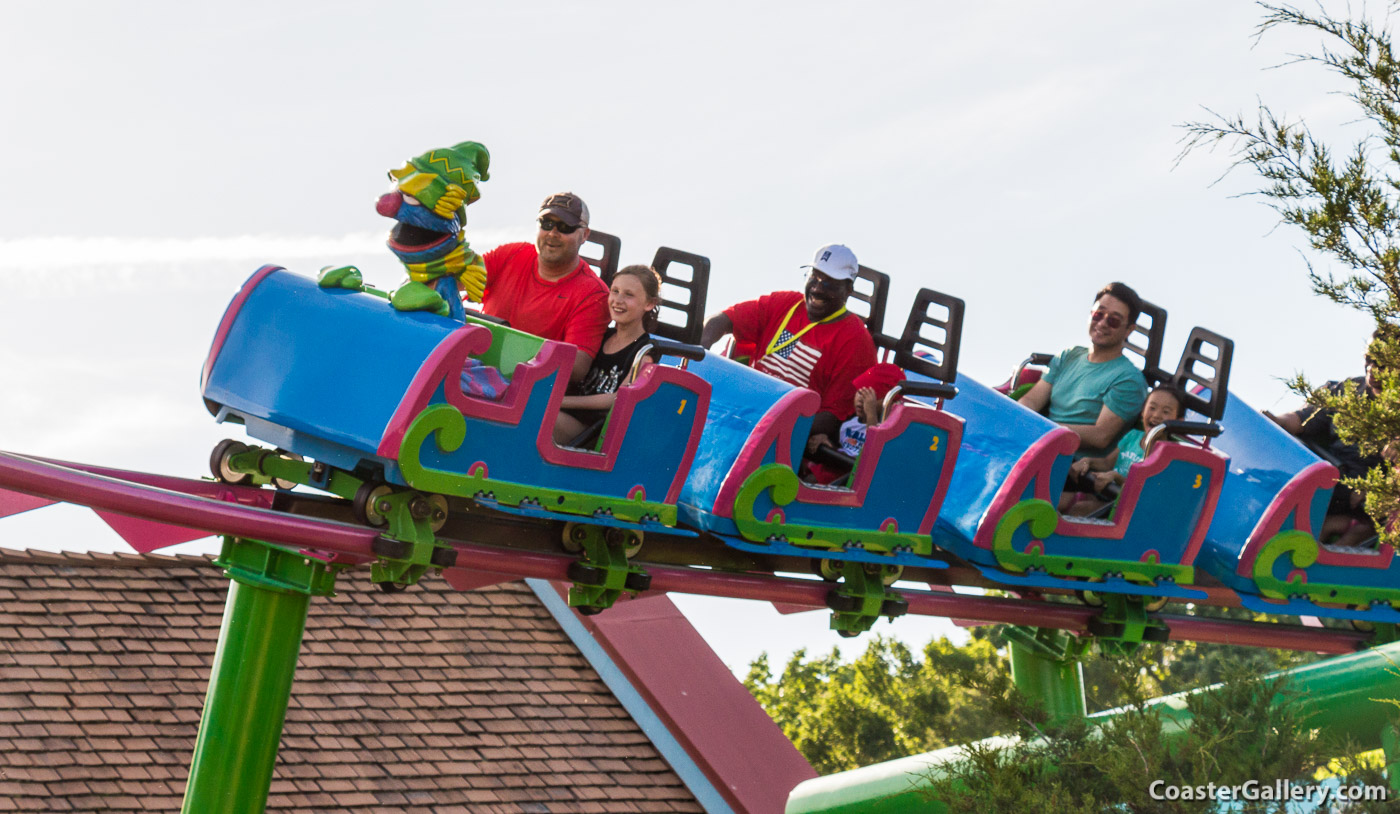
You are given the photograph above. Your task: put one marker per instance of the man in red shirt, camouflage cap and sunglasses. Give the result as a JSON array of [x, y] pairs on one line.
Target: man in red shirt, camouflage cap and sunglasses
[[547, 289]]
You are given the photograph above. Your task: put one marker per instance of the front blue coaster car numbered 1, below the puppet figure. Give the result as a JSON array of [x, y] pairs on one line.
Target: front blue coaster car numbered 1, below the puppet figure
[[341, 378]]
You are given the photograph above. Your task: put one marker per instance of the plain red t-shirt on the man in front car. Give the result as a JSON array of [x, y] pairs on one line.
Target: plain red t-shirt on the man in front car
[[573, 309]]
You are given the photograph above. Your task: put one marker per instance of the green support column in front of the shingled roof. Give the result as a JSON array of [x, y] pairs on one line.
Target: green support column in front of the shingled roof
[[250, 684]]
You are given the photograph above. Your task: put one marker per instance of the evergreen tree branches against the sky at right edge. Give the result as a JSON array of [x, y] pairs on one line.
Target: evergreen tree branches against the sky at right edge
[[1347, 202]]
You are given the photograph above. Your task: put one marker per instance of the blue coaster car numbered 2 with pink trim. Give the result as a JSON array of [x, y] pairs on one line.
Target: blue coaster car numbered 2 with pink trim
[[744, 484]]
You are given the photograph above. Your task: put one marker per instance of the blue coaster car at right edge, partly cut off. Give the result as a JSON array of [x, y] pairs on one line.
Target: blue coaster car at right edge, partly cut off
[[1266, 547]]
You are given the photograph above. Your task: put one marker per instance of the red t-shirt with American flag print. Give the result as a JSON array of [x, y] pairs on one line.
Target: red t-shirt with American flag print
[[827, 359]]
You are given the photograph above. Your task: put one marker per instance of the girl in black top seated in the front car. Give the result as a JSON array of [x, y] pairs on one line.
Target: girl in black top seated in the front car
[[633, 301]]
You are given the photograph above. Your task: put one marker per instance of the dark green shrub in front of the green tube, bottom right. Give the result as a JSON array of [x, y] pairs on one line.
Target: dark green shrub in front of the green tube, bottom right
[[1238, 735]]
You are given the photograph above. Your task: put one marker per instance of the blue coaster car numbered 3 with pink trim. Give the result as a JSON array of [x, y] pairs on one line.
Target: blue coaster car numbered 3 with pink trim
[[1002, 513]]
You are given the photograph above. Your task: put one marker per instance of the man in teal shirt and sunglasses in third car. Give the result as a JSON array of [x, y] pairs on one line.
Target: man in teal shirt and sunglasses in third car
[[1097, 392]]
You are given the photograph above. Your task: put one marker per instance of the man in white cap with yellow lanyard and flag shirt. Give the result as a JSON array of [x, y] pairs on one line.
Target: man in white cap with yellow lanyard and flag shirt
[[807, 338]]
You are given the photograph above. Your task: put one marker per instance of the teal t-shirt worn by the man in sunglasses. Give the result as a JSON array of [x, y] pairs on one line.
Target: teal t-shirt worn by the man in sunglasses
[[1083, 389]]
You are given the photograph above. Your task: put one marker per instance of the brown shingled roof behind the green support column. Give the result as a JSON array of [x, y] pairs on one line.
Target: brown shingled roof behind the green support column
[[430, 700]]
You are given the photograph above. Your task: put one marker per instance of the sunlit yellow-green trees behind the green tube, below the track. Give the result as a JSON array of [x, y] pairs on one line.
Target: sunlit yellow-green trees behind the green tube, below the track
[[890, 704]]
